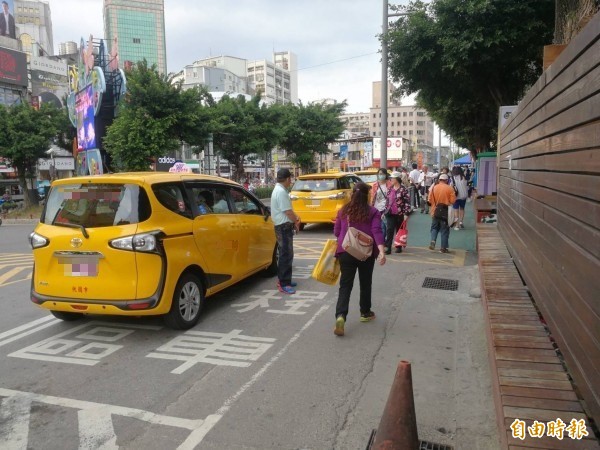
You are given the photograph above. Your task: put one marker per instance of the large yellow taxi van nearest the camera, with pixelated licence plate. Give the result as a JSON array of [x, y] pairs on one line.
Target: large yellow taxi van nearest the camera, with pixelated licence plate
[[140, 244]]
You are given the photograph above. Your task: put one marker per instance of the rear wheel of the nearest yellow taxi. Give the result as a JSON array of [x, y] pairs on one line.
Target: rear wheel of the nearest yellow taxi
[[188, 300]]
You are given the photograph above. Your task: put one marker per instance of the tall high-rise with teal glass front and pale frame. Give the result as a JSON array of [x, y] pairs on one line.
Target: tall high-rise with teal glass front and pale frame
[[139, 26]]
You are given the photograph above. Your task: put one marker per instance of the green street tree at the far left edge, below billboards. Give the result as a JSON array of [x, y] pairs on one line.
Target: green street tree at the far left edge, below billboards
[[26, 135]]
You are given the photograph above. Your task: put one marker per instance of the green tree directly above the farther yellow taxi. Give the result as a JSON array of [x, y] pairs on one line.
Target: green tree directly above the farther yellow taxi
[[308, 129]]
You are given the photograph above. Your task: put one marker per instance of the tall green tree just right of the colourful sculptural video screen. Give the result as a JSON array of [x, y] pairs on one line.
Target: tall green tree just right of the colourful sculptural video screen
[[154, 118]]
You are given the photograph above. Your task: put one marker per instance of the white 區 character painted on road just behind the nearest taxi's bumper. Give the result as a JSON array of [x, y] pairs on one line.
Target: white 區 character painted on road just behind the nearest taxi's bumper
[[88, 354]]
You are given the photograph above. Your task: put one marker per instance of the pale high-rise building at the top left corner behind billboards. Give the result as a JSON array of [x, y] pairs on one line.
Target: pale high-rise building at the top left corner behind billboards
[[34, 27]]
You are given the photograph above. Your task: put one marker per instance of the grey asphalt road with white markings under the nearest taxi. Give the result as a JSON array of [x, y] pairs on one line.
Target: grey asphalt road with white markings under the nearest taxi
[[260, 370]]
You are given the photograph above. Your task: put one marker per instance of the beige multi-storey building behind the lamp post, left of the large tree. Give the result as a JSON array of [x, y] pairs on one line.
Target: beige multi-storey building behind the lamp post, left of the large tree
[[408, 122]]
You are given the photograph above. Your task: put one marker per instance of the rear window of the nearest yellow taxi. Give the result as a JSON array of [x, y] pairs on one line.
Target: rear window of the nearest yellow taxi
[[96, 205]]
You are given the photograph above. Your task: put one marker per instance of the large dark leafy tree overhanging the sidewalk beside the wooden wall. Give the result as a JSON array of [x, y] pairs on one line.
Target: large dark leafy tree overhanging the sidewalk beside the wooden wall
[[466, 58]]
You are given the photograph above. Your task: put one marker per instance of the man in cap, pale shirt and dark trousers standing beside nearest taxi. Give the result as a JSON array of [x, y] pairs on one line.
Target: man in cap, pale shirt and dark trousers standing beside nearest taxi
[[286, 222]]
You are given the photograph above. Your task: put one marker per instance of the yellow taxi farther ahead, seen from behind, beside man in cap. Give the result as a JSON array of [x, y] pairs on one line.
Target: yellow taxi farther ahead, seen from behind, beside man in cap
[[317, 197]]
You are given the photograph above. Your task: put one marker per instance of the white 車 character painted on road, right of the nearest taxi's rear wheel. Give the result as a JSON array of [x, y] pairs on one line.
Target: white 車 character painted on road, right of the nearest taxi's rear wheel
[[221, 349]]
